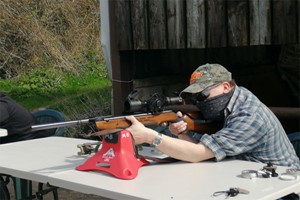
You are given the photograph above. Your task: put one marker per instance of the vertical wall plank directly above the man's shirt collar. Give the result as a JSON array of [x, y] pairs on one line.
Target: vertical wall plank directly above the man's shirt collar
[[237, 12]]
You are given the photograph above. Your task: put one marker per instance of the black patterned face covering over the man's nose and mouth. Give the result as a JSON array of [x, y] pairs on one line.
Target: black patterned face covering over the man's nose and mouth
[[213, 108]]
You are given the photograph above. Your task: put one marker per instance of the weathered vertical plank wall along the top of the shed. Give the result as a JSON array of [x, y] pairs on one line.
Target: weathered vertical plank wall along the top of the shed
[[175, 24]]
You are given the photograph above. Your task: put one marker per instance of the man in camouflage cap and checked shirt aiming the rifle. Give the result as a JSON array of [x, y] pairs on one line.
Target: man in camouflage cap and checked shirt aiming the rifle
[[250, 131]]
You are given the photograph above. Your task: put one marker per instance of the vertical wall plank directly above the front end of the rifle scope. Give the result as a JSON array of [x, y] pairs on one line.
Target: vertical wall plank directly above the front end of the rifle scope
[[139, 24]]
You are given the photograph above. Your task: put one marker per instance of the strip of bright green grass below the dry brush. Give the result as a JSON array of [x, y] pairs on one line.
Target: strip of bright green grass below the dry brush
[[70, 91]]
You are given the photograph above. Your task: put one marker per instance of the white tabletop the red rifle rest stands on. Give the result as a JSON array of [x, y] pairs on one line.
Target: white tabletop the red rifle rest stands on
[[53, 160]]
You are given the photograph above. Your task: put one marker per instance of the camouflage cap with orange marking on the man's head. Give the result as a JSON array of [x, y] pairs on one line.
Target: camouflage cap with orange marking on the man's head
[[205, 76]]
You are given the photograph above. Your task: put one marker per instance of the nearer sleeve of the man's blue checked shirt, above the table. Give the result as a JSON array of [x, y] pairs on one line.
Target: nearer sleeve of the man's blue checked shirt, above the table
[[242, 133]]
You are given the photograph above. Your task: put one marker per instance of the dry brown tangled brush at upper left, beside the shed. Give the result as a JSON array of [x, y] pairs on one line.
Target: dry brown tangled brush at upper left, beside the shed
[[48, 34]]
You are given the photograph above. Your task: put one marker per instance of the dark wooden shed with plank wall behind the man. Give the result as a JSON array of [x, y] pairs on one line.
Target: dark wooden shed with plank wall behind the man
[[154, 45]]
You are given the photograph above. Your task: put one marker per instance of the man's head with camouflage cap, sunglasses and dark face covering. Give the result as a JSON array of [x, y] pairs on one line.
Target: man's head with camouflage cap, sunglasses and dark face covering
[[210, 89]]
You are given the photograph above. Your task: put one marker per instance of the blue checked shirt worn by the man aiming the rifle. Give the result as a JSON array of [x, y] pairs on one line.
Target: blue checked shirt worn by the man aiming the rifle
[[251, 132]]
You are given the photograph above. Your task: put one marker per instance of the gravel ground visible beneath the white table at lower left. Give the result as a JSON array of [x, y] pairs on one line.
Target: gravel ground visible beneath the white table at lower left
[[63, 194]]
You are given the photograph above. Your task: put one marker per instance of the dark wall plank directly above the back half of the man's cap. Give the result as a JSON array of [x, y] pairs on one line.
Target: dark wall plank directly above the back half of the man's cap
[[216, 23]]
